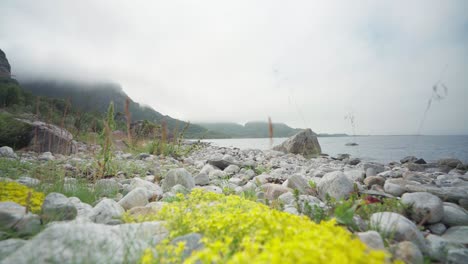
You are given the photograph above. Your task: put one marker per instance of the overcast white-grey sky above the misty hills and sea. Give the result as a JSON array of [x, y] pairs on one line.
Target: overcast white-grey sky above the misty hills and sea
[[305, 63]]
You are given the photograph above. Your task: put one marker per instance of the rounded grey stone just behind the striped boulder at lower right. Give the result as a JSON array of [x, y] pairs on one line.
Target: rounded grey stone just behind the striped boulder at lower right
[[425, 206]]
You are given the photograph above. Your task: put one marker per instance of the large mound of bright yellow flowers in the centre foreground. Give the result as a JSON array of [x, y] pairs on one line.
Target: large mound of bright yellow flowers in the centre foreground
[[236, 230]]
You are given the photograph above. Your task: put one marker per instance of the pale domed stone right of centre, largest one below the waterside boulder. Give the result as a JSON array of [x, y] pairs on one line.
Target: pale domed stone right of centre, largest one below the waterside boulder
[[335, 184]]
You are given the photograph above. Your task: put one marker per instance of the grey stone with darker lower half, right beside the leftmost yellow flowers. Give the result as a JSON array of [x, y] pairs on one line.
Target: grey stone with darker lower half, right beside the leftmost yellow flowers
[[57, 207]]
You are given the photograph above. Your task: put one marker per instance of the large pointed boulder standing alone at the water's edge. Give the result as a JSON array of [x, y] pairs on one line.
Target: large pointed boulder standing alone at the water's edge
[[304, 142]]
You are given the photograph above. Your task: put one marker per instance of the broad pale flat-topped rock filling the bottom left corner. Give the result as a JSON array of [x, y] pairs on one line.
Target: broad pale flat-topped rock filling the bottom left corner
[[90, 243]]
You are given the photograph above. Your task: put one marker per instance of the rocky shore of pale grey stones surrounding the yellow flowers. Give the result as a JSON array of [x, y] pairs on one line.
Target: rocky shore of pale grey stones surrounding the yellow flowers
[[66, 229]]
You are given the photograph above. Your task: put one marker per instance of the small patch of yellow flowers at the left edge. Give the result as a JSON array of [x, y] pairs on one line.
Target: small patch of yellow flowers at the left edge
[[20, 194]]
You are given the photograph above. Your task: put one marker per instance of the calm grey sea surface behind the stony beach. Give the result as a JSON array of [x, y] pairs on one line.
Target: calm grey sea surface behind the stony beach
[[373, 148]]
